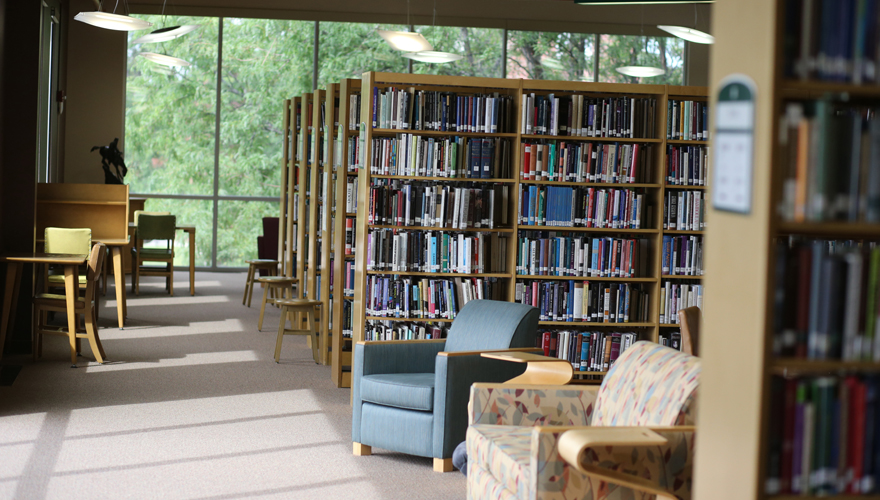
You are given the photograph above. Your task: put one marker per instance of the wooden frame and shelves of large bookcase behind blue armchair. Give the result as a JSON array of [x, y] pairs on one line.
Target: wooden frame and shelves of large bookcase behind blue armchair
[[654, 189]]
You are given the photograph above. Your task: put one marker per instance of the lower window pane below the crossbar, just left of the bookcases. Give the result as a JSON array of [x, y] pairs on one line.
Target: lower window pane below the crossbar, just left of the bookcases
[[238, 225]]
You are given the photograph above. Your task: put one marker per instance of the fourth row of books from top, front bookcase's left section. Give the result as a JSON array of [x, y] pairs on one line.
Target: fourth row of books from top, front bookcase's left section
[[436, 252]]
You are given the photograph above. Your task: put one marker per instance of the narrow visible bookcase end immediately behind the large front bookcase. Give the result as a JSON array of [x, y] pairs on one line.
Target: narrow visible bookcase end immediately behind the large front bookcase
[[341, 352]]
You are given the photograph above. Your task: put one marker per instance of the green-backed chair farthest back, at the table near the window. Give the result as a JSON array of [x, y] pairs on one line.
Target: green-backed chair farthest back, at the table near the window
[[154, 228]]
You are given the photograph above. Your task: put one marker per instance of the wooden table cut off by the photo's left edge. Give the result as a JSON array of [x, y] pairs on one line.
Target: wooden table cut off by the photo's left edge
[[14, 262]]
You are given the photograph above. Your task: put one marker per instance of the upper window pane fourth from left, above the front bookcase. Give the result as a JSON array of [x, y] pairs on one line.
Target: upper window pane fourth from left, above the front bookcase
[[481, 48]]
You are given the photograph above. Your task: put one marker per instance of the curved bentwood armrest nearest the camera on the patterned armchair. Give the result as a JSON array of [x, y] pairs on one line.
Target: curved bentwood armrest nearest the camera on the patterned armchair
[[574, 443]]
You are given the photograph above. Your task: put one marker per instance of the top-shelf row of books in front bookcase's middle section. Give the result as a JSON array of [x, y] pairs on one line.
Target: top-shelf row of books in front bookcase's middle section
[[582, 116]]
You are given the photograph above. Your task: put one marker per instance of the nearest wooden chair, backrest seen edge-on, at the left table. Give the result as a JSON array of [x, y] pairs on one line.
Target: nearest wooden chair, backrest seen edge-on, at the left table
[[86, 306]]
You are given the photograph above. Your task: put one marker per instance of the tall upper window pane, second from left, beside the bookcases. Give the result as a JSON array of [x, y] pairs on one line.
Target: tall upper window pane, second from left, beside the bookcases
[[264, 62]]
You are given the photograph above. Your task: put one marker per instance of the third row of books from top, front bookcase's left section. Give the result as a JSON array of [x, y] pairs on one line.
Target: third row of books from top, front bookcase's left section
[[423, 204]]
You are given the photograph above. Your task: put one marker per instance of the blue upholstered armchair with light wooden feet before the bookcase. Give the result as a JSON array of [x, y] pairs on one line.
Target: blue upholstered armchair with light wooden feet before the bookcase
[[411, 396]]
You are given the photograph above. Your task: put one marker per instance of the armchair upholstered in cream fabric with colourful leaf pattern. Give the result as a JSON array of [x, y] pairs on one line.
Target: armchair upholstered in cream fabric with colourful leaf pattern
[[546, 442]]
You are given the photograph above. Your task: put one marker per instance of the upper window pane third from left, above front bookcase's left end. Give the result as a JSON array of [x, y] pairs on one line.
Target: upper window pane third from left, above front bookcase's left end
[[348, 50]]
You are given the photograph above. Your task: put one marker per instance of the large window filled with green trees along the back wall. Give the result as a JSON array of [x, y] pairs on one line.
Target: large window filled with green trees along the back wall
[[217, 164]]
